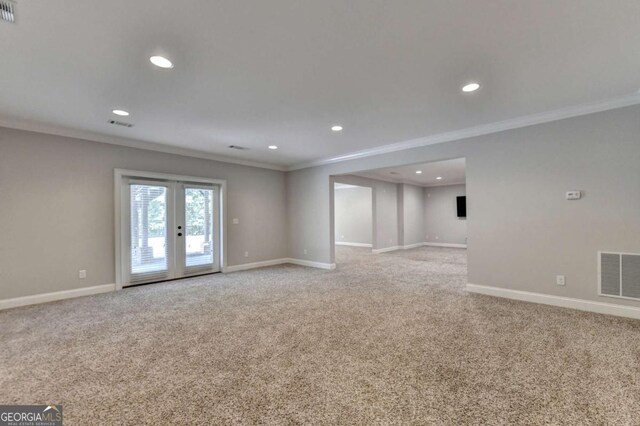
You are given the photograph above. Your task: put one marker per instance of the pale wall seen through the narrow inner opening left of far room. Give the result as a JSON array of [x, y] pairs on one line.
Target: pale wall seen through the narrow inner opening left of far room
[[354, 215]]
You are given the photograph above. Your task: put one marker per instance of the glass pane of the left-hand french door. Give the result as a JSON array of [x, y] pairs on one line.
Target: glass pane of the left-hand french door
[[148, 229]]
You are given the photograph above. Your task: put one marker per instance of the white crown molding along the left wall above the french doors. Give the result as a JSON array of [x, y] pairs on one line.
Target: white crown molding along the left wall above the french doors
[[131, 143]]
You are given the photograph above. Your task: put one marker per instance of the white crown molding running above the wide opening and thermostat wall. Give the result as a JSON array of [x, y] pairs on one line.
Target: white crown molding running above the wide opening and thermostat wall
[[484, 129]]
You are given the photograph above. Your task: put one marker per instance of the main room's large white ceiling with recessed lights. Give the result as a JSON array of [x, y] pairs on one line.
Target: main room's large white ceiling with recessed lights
[[282, 72]]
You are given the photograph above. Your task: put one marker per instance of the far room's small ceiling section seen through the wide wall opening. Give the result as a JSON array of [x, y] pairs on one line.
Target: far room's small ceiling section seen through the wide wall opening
[[451, 172]]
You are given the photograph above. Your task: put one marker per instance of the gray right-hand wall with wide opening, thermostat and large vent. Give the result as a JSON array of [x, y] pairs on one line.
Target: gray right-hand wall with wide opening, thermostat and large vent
[[521, 230]]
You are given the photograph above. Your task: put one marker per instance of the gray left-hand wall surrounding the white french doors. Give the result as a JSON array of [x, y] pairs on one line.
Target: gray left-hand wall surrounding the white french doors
[[57, 209]]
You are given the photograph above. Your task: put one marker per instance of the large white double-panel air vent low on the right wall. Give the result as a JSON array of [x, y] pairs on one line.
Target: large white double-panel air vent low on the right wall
[[619, 275]]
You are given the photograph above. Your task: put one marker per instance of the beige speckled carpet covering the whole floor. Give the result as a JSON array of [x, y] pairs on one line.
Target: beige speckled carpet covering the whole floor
[[385, 339]]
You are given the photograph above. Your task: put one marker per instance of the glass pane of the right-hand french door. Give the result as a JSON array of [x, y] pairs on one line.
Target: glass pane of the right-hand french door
[[199, 231]]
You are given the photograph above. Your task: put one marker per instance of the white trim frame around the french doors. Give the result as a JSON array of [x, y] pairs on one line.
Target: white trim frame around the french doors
[[121, 175]]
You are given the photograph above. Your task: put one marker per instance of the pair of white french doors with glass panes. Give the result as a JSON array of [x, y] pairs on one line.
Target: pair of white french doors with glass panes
[[172, 229]]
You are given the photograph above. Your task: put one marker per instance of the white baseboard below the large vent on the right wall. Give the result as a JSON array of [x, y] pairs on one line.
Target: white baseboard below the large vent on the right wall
[[564, 302]]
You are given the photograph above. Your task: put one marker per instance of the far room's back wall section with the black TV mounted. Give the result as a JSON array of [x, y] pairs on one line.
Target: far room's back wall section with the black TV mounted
[[440, 220]]
